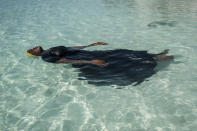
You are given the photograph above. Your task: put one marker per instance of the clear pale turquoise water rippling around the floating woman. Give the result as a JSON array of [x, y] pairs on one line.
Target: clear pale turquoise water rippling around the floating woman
[[39, 96]]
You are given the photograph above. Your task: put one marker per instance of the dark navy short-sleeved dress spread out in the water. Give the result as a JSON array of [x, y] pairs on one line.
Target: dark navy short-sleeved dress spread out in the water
[[124, 67]]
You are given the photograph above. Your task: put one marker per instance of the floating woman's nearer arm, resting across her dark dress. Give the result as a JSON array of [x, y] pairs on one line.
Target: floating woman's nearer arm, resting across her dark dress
[[95, 62]]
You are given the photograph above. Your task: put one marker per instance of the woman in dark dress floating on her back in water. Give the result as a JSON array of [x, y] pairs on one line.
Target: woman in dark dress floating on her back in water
[[119, 66]]
